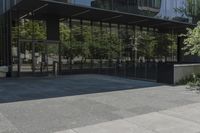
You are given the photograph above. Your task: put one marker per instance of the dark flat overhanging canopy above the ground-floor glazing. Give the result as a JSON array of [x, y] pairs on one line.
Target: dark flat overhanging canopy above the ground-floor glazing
[[44, 9]]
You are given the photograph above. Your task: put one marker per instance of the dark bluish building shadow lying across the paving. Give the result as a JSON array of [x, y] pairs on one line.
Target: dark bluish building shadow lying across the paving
[[23, 89]]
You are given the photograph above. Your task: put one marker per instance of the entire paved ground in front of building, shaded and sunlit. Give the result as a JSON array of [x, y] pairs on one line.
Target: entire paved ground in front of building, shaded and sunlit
[[96, 104]]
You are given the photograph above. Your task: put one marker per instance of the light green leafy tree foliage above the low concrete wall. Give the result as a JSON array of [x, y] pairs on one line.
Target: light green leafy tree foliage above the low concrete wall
[[192, 41]]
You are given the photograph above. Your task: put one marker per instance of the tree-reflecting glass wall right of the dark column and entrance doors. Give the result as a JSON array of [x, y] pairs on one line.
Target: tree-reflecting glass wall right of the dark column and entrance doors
[[106, 48]]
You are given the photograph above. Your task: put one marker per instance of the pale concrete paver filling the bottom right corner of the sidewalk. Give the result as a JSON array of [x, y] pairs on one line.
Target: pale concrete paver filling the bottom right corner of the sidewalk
[[165, 124]]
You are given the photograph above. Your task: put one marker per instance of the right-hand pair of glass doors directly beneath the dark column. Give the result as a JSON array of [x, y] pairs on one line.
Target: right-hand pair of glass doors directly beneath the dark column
[[46, 58]]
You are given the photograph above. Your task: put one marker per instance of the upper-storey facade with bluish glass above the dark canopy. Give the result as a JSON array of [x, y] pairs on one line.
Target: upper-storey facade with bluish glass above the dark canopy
[[178, 10]]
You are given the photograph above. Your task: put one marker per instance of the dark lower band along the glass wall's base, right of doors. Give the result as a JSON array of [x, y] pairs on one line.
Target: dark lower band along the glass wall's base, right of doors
[[142, 70]]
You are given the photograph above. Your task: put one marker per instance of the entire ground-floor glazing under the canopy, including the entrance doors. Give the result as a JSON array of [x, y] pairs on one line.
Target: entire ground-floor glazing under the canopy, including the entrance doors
[[91, 47]]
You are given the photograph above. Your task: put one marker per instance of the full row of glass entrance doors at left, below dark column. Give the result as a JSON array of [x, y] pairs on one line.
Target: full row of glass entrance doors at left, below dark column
[[37, 58]]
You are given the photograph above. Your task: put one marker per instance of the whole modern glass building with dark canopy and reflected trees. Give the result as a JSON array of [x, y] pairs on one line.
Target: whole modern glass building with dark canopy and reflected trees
[[128, 38]]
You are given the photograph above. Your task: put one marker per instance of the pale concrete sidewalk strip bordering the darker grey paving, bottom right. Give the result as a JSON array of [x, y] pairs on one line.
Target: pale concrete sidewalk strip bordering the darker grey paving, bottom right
[[185, 119]]
